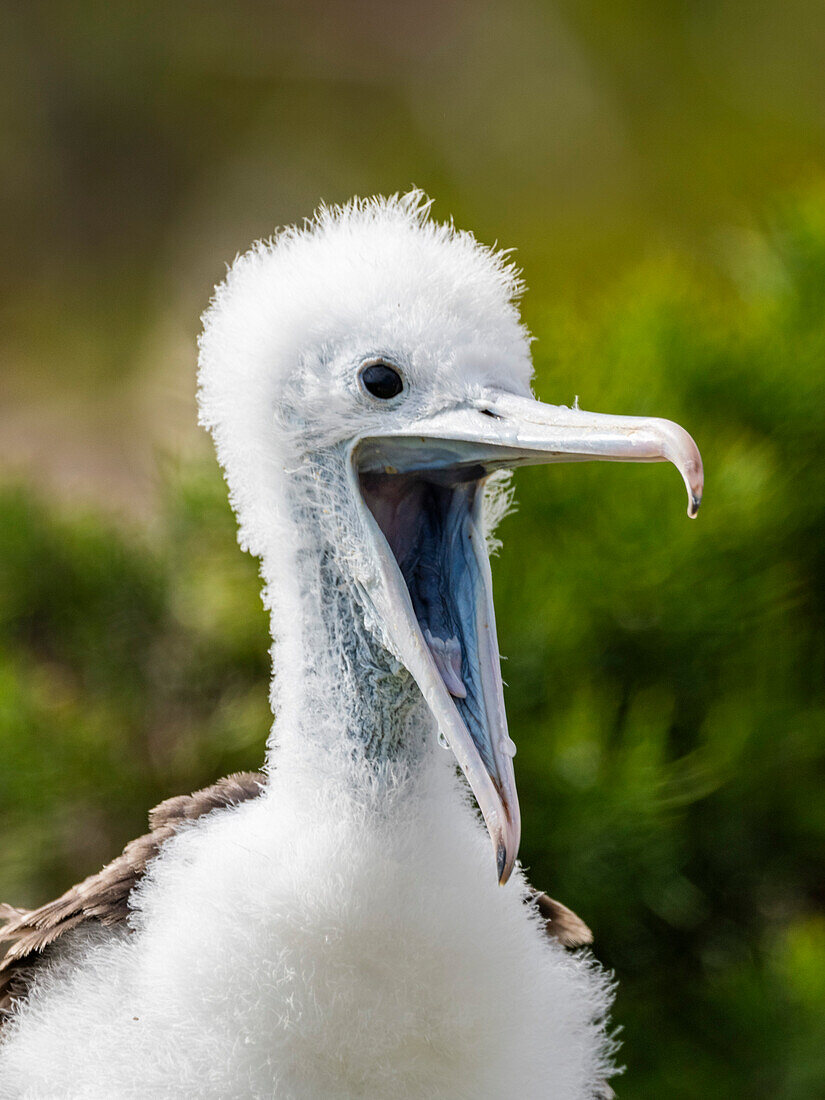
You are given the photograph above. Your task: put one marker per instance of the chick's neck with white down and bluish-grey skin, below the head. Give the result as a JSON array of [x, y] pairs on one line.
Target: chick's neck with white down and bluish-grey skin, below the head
[[343, 701]]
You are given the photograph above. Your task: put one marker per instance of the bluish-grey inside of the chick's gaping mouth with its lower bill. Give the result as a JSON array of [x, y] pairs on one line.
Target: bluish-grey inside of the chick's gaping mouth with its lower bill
[[432, 522]]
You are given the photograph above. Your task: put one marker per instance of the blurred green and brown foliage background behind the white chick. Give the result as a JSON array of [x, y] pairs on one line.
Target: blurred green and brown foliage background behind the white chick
[[659, 166]]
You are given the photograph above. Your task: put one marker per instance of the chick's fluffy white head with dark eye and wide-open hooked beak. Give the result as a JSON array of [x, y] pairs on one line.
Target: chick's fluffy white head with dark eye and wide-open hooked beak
[[379, 358]]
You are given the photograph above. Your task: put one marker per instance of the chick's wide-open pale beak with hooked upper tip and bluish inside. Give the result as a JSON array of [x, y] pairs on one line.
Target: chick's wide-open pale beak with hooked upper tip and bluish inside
[[422, 492]]
